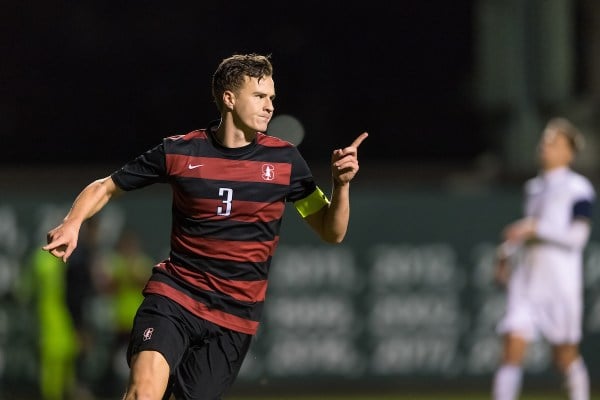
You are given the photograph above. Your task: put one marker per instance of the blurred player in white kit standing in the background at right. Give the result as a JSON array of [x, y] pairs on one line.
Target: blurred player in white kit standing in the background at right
[[545, 293]]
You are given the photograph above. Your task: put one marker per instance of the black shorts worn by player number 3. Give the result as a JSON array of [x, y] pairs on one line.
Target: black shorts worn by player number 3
[[204, 358]]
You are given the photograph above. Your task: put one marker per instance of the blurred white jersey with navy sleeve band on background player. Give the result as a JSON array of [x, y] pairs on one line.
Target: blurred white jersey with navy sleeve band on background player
[[553, 262]]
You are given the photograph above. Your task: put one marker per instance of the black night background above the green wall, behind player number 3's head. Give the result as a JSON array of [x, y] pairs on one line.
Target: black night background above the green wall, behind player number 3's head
[[100, 82]]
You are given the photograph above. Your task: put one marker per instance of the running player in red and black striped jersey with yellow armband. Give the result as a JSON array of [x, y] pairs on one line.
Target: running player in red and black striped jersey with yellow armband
[[230, 183]]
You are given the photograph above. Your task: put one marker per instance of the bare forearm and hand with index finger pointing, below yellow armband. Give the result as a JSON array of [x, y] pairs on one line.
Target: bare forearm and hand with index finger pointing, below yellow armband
[[331, 222]]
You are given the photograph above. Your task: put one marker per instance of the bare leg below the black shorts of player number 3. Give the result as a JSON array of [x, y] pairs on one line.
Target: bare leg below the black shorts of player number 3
[[149, 376]]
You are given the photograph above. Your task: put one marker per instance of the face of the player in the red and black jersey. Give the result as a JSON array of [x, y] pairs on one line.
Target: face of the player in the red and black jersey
[[253, 104]]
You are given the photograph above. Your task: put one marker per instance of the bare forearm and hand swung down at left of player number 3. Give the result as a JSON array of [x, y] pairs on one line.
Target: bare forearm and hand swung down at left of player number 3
[[62, 240]]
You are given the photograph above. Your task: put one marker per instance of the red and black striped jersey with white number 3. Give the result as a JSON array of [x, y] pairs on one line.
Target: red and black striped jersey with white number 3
[[227, 210]]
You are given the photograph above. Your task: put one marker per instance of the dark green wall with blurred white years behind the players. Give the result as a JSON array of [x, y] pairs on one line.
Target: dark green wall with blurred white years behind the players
[[407, 298]]
